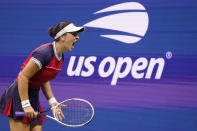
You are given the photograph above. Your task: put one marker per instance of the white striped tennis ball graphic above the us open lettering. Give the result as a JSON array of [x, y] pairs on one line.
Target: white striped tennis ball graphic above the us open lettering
[[133, 22]]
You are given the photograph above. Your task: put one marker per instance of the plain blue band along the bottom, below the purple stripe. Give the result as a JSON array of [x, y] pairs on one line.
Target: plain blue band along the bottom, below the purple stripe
[[129, 120]]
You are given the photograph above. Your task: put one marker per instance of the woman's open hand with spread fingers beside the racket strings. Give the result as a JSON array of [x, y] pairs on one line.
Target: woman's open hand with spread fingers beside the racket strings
[[57, 112]]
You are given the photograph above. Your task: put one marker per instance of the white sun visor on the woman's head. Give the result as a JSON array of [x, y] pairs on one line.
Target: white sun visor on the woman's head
[[69, 28]]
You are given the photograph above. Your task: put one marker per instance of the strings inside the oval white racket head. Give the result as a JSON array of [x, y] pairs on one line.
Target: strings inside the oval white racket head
[[76, 112]]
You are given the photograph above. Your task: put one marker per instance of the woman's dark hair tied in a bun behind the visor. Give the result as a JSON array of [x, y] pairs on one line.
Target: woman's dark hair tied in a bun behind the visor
[[53, 31]]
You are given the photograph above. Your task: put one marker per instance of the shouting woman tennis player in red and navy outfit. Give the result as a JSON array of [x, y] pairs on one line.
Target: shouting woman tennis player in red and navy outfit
[[42, 65]]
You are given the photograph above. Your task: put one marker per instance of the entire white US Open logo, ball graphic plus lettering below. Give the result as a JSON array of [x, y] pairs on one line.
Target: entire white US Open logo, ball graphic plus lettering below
[[130, 22]]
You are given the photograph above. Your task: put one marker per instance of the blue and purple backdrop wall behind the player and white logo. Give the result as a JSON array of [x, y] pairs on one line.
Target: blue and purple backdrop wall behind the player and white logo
[[167, 104]]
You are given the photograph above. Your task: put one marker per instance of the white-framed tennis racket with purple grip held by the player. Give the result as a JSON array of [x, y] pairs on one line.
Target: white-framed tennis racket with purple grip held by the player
[[77, 112]]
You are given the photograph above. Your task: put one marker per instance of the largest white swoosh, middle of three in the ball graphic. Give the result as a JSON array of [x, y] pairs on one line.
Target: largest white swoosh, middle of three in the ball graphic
[[130, 22]]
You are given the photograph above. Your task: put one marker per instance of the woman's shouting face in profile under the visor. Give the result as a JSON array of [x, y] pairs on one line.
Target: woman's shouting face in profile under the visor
[[69, 40]]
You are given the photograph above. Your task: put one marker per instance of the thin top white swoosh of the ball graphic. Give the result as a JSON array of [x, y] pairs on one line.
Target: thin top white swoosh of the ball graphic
[[122, 6]]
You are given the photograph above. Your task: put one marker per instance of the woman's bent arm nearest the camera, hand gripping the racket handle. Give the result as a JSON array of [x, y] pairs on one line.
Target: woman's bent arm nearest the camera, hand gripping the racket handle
[[30, 69]]
